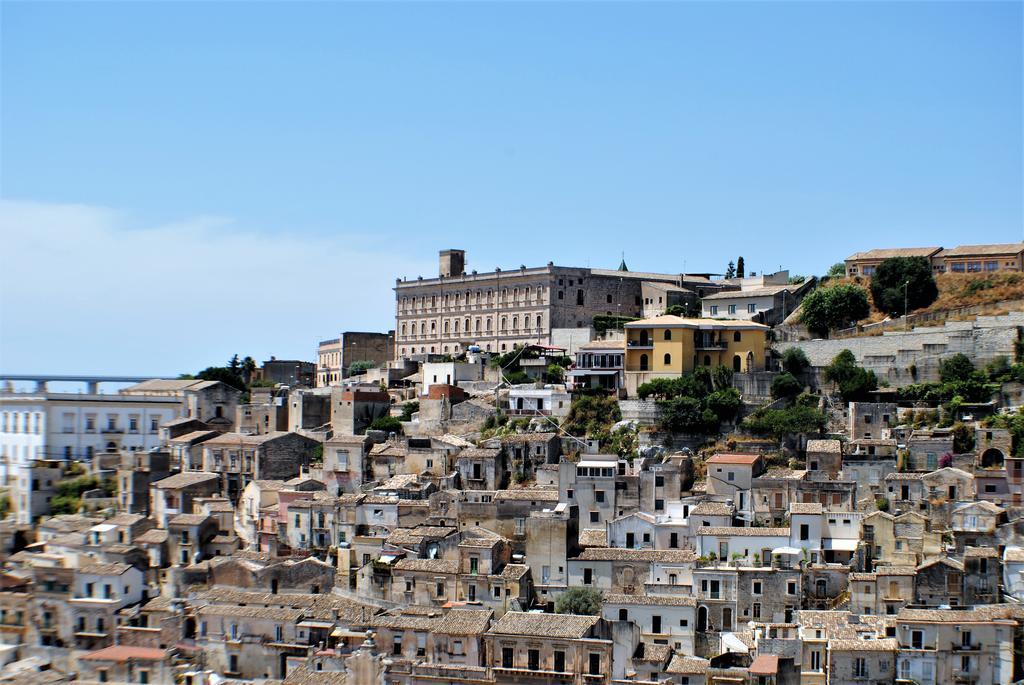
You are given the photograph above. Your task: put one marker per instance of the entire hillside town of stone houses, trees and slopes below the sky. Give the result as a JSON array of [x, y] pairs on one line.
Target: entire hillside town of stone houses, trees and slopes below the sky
[[547, 476]]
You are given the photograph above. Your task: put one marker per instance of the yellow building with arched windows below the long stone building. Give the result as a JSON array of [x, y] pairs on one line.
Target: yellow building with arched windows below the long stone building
[[668, 347]]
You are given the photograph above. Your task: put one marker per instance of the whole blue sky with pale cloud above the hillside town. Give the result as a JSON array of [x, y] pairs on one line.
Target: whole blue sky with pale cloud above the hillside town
[[173, 173]]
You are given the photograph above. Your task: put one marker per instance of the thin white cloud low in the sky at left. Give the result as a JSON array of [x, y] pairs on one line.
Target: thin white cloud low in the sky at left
[[86, 289]]
